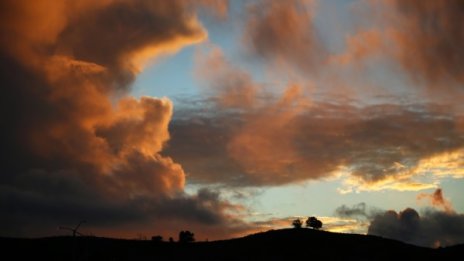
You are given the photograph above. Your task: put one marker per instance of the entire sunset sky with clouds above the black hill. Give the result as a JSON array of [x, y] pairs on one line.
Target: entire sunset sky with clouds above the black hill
[[232, 117]]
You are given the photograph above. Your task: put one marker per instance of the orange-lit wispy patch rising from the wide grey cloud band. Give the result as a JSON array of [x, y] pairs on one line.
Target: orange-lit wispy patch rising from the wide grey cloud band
[[265, 143]]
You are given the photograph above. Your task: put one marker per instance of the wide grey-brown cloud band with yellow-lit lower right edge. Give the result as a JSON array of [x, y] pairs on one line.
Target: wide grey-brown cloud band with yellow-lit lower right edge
[[289, 139]]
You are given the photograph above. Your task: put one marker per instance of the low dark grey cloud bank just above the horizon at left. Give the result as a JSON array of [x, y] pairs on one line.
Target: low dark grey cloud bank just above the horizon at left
[[39, 202]]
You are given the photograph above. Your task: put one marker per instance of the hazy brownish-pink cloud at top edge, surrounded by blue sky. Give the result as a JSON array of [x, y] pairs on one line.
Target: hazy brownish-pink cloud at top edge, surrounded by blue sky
[[284, 33]]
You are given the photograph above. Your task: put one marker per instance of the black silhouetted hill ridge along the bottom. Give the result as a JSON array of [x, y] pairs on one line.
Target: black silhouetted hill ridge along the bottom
[[285, 244]]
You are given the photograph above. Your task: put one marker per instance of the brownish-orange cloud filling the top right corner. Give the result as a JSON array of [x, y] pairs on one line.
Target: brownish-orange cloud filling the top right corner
[[424, 37]]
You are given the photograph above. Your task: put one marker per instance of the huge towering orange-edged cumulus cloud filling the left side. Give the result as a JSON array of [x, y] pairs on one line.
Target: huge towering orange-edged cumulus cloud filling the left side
[[73, 147]]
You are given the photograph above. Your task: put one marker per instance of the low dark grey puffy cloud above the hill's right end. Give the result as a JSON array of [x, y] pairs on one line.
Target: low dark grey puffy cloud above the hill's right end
[[431, 229]]
